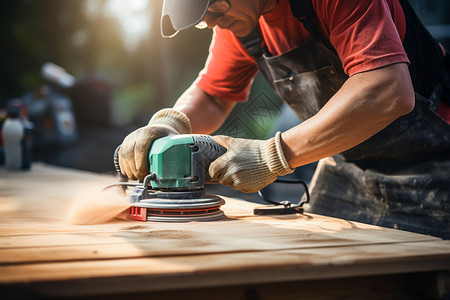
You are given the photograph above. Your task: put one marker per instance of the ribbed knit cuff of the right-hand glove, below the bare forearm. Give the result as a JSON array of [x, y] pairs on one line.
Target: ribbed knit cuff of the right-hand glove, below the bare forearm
[[274, 156]]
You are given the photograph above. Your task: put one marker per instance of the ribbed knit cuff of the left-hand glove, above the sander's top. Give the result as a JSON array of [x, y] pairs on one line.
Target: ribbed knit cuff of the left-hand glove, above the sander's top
[[172, 118]]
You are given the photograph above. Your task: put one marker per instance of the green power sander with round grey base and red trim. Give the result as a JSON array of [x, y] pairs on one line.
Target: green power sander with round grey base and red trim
[[175, 188]]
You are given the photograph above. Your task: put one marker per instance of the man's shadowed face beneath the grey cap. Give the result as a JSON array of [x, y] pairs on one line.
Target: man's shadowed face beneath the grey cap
[[241, 19]]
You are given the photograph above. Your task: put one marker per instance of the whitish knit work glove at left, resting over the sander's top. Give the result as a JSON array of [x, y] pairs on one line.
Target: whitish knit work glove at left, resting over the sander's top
[[133, 153]]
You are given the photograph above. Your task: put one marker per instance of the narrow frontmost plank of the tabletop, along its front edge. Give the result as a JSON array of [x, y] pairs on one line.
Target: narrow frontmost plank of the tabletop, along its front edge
[[144, 249]]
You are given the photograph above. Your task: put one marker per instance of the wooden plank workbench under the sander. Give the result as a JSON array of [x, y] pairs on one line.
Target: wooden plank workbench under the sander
[[241, 257]]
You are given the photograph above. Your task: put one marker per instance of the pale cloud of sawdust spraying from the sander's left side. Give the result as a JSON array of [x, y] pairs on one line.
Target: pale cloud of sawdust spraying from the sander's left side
[[95, 207]]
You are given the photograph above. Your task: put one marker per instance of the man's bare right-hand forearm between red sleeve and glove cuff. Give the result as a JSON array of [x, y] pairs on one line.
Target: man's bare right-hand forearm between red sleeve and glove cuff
[[365, 104]]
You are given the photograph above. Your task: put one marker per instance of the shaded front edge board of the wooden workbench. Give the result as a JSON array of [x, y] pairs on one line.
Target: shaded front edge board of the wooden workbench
[[234, 268]]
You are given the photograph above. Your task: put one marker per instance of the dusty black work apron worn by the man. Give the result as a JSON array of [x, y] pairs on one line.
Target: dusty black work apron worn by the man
[[398, 178]]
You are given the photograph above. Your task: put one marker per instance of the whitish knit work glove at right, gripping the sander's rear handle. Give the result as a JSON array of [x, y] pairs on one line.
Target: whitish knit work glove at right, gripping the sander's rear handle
[[249, 165]]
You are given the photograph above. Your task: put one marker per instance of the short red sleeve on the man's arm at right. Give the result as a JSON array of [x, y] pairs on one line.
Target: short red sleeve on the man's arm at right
[[365, 33]]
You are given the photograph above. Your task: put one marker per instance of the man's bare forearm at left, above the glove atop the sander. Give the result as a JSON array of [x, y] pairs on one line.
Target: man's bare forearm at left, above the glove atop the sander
[[205, 112]]
